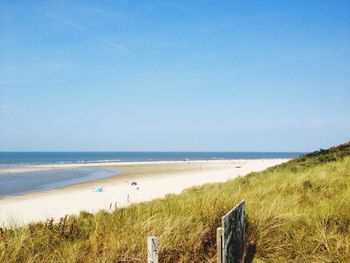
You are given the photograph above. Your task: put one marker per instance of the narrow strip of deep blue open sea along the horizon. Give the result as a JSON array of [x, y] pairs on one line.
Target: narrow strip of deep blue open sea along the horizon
[[27, 158]]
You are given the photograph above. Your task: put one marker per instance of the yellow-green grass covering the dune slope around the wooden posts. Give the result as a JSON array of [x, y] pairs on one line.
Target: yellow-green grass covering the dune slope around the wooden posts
[[297, 212]]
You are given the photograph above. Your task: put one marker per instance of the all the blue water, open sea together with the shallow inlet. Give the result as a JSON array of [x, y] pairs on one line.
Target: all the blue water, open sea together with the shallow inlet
[[13, 182]]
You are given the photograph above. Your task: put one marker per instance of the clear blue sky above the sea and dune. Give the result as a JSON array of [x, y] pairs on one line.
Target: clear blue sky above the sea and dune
[[174, 75]]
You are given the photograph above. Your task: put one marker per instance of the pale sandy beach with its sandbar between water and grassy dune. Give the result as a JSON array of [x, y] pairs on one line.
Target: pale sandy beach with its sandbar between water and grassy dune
[[155, 180]]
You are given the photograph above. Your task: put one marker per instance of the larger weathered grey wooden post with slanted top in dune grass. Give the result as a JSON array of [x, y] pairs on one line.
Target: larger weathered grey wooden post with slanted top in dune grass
[[232, 241]]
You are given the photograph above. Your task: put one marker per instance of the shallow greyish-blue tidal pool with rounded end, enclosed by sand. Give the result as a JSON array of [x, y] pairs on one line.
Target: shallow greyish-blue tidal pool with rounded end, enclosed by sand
[[34, 181]]
